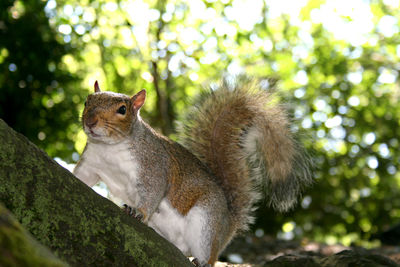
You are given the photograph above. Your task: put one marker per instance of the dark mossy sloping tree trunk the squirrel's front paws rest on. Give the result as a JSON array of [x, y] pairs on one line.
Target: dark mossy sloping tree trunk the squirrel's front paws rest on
[[78, 225]]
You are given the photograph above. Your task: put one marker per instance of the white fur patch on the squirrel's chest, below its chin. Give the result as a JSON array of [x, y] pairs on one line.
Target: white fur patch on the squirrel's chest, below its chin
[[116, 167]]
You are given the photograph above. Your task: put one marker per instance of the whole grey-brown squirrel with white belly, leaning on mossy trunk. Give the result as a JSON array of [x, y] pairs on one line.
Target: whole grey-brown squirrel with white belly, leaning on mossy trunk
[[200, 193]]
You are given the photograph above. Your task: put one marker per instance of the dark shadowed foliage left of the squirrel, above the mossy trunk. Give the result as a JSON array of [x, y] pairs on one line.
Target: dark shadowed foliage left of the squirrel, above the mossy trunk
[[38, 97]]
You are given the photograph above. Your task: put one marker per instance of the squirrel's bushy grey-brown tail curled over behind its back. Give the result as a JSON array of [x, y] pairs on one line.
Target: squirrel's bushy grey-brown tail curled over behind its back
[[246, 141]]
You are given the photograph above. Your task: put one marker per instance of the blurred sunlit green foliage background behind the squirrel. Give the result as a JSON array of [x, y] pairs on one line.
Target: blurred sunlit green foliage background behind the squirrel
[[336, 63]]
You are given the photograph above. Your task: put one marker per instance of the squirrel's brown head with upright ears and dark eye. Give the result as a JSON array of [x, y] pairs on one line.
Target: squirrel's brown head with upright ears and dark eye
[[108, 117]]
